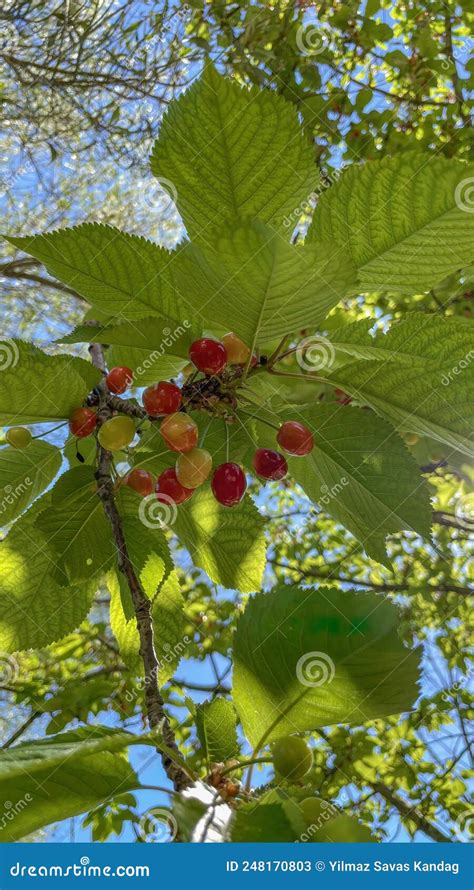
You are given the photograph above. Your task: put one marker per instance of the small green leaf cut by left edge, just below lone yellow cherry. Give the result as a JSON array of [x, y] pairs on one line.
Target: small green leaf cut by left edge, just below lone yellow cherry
[[24, 475]]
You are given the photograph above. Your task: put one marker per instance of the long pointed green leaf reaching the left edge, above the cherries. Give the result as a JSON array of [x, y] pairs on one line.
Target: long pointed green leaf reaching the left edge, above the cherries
[[121, 274]]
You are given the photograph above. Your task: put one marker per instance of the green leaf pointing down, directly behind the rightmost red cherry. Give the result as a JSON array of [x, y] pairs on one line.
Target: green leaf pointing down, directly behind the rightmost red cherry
[[362, 474]]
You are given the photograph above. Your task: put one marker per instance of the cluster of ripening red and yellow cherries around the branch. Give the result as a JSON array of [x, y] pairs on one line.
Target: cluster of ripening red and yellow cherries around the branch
[[180, 432]]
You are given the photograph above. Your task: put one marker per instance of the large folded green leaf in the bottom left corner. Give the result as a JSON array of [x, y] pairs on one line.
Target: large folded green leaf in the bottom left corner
[[63, 776]]
